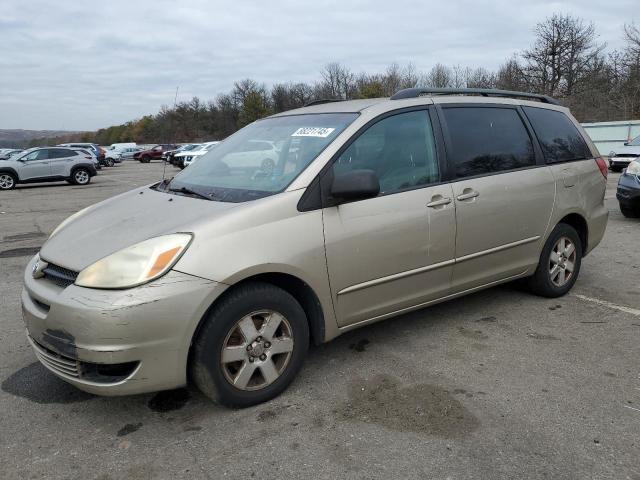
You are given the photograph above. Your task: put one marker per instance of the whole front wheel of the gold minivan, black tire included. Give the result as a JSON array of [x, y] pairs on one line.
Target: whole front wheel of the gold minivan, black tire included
[[254, 305]]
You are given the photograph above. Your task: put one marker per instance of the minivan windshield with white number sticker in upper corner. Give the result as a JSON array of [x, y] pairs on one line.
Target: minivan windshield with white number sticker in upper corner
[[261, 159]]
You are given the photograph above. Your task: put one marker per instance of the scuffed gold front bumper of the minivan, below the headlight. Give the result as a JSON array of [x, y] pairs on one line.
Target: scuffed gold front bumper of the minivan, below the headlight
[[117, 342]]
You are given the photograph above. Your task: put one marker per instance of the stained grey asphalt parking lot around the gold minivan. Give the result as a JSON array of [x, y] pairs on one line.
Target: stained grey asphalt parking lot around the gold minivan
[[498, 384]]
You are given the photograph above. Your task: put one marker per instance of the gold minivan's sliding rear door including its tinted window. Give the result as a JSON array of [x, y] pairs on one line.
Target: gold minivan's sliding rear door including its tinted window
[[503, 192]]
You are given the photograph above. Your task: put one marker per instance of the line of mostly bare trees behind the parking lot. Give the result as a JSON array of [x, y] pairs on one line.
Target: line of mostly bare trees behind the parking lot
[[565, 61]]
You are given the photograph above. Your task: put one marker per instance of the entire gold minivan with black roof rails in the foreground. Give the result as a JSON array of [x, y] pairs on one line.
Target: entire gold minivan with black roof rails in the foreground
[[224, 274]]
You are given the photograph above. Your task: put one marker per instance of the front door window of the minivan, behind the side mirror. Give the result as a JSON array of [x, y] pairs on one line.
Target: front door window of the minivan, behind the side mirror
[[400, 149]]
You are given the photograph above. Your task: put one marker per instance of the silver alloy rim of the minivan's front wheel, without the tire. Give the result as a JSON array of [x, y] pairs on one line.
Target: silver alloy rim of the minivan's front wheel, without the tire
[[257, 350]]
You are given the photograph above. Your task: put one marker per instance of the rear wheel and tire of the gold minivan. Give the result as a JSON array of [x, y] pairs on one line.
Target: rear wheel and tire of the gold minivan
[[556, 275]]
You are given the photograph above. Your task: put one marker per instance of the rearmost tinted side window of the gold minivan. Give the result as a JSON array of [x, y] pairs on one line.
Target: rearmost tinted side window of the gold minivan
[[558, 136]]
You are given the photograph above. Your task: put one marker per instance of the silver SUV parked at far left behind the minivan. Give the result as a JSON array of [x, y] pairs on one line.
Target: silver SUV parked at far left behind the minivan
[[47, 164]]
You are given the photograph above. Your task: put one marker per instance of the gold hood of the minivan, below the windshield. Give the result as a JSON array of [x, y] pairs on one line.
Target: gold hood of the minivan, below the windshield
[[125, 220]]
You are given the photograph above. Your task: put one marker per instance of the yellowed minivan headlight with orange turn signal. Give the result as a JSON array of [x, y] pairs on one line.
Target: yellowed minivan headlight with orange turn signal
[[135, 265]]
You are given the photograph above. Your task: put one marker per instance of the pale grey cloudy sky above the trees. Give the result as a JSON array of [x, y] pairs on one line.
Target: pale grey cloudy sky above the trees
[[75, 65]]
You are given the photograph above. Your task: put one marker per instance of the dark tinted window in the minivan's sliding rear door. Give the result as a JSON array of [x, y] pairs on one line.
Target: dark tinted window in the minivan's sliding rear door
[[487, 140]]
